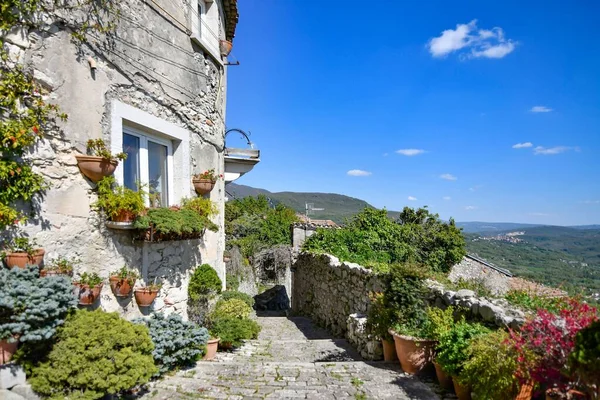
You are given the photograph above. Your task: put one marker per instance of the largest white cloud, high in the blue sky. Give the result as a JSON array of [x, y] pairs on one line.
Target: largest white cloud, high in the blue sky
[[483, 43]]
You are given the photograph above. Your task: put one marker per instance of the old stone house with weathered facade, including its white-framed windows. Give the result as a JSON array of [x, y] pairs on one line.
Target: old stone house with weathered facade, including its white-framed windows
[[153, 85]]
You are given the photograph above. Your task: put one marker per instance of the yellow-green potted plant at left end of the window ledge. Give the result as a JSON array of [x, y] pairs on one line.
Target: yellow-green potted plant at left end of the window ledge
[[120, 204]]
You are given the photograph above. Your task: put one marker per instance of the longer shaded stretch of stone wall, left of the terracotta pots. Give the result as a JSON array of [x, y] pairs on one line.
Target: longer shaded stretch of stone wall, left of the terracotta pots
[[335, 295]]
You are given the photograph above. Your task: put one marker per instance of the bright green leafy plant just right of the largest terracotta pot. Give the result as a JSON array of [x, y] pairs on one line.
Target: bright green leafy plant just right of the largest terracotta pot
[[453, 350]]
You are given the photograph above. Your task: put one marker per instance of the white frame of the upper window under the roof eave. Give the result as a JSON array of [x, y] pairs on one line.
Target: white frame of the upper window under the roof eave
[[208, 15]]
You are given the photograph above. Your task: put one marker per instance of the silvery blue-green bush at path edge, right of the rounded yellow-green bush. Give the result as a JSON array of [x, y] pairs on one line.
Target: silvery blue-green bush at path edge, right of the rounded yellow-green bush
[[177, 343]]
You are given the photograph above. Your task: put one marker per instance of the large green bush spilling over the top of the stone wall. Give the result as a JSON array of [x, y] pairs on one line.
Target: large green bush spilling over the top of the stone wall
[[372, 237]]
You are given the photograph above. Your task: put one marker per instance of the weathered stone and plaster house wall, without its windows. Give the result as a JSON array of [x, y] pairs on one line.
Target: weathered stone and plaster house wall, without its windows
[[149, 63]]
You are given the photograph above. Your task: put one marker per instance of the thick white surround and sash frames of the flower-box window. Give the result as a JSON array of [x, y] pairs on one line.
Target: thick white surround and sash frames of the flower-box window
[[128, 119]]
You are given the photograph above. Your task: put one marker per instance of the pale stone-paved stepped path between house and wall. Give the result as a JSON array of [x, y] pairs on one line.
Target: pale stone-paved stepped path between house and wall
[[291, 359]]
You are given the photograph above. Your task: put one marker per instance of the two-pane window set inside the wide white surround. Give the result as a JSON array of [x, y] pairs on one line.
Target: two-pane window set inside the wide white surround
[[147, 163]]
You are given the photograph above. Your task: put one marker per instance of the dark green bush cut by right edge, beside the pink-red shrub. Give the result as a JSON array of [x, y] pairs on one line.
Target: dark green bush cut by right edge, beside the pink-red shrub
[[585, 358]]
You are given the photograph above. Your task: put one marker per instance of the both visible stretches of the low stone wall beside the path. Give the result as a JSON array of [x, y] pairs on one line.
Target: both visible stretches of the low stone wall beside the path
[[335, 295]]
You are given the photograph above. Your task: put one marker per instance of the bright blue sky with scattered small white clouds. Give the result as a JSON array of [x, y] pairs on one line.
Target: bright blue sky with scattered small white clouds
[[334, 89]]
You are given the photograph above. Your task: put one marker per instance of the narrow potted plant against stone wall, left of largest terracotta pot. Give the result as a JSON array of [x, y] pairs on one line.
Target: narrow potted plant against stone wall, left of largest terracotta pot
[[379, 320]]
